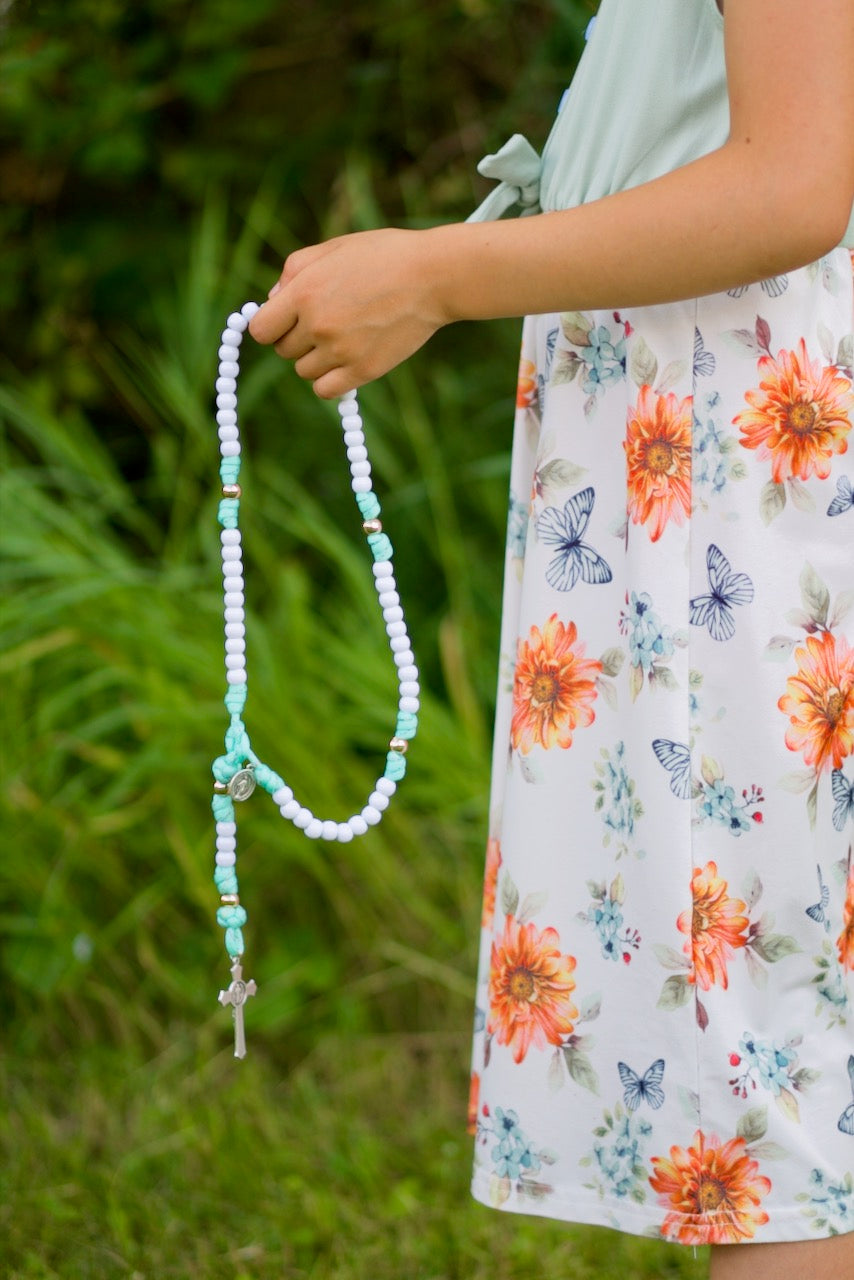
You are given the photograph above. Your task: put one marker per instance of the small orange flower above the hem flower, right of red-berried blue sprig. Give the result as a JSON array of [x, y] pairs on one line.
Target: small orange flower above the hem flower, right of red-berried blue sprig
[[716, 927]]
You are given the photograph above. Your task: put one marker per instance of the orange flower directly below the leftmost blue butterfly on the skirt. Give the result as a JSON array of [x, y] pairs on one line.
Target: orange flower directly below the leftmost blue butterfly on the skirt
[[554, 688]]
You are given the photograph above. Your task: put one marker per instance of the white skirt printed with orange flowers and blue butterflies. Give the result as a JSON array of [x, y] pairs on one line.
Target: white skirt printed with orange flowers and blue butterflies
[[665, 1028]]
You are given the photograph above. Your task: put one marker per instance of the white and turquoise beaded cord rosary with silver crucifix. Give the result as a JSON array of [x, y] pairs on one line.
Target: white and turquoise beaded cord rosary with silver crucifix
[[240, 771]]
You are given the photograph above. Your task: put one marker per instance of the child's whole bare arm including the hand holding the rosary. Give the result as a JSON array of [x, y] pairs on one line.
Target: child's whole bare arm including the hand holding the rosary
[[777, 196]]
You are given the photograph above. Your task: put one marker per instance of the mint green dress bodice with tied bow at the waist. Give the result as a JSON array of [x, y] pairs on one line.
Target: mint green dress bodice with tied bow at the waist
[[650, 95]]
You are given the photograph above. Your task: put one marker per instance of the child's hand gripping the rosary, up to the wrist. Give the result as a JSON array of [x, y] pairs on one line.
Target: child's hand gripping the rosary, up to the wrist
[[350, 310]]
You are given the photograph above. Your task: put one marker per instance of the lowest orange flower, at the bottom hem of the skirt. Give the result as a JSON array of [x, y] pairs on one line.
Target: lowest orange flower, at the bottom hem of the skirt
[[713, 1191]]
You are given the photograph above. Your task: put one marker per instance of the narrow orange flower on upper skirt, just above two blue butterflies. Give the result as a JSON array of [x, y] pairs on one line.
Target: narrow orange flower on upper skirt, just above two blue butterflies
[[659, 460]]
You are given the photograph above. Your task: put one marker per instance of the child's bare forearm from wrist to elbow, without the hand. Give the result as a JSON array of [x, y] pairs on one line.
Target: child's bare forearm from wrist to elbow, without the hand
[[723, 221]]
